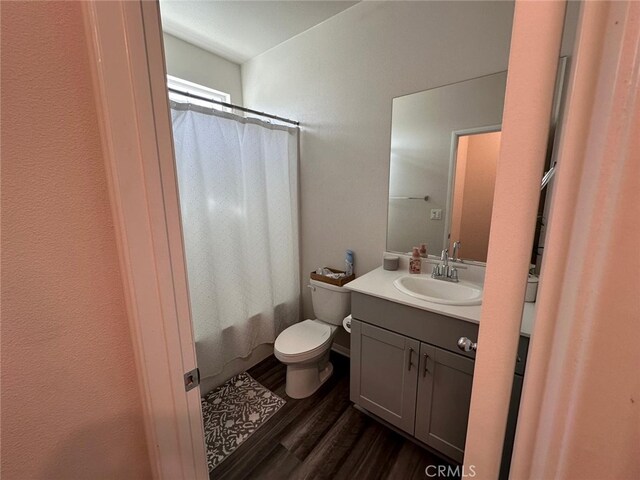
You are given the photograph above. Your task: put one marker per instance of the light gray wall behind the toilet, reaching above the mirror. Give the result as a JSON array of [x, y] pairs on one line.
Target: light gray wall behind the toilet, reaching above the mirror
[[339, 79]]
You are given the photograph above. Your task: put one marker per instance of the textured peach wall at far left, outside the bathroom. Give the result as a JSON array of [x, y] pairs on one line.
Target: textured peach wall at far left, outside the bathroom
[[70, 401]]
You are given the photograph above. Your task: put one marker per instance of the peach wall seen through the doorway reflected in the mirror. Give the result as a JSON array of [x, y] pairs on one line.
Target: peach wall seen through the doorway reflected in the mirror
[[479, 184]]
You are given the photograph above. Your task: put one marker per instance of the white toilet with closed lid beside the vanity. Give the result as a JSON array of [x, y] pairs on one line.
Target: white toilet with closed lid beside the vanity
[[304, 347]]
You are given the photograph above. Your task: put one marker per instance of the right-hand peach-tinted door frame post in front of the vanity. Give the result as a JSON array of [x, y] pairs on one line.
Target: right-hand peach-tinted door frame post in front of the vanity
[[532, 71]]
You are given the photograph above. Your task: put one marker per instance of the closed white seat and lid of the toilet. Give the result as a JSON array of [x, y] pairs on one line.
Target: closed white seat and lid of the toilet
[[303, 340]]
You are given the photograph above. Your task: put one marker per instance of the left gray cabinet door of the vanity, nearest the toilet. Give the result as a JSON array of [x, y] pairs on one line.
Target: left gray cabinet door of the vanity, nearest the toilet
[[384, 374]]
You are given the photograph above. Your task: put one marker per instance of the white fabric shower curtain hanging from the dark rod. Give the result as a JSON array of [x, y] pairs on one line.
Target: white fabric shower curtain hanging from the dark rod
[[238, 184]]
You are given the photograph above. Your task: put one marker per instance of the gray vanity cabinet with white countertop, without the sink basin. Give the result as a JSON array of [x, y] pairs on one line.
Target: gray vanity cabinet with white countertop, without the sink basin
[[407, 368]]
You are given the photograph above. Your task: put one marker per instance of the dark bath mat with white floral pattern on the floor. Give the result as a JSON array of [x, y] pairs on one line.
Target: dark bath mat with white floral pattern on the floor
[[234, 411]]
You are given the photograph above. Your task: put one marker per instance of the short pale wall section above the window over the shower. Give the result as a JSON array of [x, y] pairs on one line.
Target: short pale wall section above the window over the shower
[[192, 63]]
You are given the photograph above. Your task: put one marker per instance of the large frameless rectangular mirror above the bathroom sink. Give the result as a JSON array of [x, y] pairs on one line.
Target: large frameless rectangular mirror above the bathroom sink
[[444, 145]]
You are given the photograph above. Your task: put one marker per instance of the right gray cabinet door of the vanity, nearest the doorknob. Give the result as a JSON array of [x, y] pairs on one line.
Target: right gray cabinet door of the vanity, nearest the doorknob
[[444, 396]]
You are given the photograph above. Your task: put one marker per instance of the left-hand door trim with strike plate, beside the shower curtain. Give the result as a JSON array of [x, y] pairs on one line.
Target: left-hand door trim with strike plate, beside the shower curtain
[[128, 66]]
